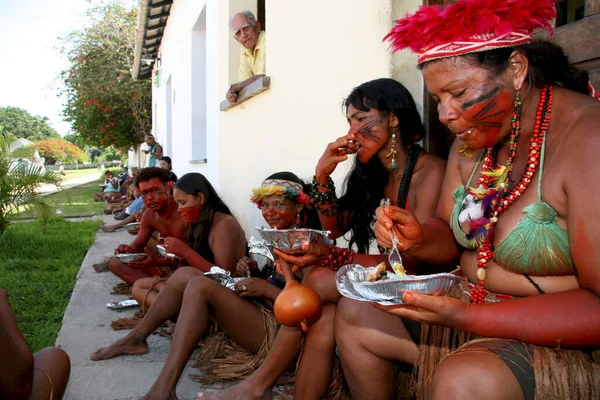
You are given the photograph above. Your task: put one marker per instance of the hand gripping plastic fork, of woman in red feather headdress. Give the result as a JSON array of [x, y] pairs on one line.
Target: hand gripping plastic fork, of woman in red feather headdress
[[405, 226]]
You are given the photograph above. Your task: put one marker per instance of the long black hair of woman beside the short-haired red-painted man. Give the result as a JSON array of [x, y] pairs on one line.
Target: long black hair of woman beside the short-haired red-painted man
[[193, 184]]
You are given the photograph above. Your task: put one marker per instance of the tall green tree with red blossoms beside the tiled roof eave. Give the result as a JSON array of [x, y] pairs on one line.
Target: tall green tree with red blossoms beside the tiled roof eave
[[104, 105]]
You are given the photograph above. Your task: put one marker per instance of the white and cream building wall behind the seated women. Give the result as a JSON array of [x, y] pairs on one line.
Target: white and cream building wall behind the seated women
[[318, 51]]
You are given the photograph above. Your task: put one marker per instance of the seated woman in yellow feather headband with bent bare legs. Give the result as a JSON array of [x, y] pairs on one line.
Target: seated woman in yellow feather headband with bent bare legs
[[244, 314]]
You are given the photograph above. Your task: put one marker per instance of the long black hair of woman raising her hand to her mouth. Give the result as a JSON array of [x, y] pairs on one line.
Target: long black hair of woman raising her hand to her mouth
[[364, 185]]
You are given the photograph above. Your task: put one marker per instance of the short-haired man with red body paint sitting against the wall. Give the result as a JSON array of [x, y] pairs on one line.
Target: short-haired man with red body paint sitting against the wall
[[161, 217]]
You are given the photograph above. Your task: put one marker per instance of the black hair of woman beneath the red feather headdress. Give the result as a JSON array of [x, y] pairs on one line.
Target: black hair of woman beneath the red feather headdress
[[548, 65]]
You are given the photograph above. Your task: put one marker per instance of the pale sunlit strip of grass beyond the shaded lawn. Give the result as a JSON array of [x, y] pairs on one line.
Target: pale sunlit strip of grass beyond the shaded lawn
[[76, 201]]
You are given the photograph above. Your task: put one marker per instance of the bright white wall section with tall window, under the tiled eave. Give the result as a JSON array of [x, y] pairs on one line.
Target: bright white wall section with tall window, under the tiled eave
[[183, 57]]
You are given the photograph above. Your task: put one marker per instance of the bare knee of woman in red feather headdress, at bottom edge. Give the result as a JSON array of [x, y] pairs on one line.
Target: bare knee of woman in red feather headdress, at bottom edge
[[476, 372]]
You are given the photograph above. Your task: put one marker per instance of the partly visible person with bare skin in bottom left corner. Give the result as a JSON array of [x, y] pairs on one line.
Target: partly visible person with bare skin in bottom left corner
[[43, 375]]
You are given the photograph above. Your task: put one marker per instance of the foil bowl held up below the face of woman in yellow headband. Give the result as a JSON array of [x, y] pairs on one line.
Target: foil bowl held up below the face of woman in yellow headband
[[292, 239]]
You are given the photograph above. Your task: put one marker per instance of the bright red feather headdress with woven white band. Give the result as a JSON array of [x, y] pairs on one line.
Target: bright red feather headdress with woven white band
[[470, 25]]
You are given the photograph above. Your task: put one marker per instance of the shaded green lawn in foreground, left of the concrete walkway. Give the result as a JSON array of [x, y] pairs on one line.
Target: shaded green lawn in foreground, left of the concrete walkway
[[38, 265]]
